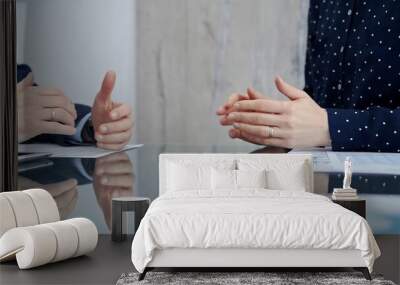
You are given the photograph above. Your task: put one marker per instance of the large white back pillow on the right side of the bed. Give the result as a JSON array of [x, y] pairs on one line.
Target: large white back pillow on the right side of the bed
[[283, 174]]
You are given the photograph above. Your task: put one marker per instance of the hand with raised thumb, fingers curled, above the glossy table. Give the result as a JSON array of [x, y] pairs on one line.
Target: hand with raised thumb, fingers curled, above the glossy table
[[112, 121]]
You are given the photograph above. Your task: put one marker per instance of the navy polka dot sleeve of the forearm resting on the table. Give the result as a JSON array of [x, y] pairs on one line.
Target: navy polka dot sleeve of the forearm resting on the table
[[373, 129]]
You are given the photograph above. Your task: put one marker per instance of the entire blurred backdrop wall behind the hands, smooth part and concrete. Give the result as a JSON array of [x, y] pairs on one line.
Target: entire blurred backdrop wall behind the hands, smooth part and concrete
[[189, 55]]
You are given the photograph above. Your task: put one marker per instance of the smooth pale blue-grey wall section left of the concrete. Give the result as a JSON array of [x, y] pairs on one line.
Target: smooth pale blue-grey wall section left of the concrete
[[71, 44]]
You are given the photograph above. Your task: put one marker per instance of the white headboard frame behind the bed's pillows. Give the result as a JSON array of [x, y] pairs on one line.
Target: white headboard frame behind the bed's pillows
[[165, 158]]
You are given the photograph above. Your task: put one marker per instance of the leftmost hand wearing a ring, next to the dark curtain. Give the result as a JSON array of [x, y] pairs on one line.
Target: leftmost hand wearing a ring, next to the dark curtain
[[43, 111]]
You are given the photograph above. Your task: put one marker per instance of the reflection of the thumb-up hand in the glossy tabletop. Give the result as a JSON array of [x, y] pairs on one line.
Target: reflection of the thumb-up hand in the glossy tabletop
[[113, 177]]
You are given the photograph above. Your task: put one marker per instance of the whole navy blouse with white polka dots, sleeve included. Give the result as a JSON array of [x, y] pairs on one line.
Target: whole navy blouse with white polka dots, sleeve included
[[353, 70]]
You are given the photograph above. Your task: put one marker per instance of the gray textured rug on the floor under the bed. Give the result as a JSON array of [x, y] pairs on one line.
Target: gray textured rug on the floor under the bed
[[232, 278]]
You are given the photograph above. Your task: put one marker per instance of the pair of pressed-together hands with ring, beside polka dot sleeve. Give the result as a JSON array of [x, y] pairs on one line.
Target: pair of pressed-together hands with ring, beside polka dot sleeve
[[297, 122]]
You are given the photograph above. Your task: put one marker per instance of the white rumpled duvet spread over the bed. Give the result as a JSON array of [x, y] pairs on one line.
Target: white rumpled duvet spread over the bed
[[250, 219]]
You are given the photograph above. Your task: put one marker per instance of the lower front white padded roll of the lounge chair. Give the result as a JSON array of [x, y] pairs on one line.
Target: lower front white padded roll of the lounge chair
[[37, 245]]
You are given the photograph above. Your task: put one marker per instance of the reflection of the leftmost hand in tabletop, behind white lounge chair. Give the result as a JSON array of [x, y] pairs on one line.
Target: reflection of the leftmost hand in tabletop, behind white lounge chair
[[64, 193]]
